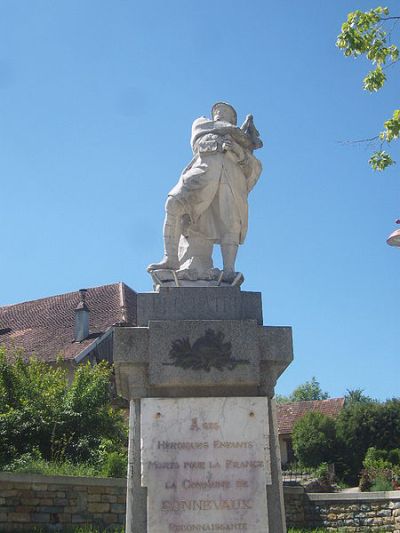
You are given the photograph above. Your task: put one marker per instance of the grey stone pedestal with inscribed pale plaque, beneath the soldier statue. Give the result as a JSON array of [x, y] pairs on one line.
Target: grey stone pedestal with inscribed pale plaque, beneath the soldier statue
[[193, 345]]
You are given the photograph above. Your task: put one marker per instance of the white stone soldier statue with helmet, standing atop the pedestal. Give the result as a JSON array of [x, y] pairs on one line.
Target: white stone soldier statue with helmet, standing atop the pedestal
[[208, 205]]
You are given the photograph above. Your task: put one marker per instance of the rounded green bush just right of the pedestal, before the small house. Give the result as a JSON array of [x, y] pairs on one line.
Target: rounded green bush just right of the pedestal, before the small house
[[314, 439]]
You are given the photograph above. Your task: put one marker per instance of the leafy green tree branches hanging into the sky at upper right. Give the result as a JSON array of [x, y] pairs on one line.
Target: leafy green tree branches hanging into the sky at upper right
[[367, 34]]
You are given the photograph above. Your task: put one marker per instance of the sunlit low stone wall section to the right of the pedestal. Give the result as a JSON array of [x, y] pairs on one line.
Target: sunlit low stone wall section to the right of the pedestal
[[367, 511]]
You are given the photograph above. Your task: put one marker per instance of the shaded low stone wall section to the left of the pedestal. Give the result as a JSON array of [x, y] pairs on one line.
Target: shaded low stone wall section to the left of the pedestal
[[57, 503]]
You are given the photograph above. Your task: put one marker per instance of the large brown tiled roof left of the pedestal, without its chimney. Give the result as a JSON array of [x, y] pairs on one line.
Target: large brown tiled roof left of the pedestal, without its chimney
[[45, 327]]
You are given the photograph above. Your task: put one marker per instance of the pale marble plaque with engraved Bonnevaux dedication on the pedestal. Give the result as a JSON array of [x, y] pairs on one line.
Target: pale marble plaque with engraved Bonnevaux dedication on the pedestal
[[204, 463]]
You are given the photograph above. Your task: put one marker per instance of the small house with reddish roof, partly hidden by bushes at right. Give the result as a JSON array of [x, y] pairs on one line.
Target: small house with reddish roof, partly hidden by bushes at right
[[289, 413]]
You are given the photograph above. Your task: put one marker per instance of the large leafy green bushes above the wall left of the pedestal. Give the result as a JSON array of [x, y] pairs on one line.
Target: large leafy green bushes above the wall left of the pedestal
[[48, 418]]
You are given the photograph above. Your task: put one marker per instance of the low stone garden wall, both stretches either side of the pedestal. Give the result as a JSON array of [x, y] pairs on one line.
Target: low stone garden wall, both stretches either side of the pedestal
[[55, 503]]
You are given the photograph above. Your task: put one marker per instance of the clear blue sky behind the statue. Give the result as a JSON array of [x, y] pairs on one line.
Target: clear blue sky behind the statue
[[96, 104]]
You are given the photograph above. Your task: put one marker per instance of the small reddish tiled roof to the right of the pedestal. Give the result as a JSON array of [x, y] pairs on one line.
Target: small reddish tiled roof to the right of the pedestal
[[289, 413]]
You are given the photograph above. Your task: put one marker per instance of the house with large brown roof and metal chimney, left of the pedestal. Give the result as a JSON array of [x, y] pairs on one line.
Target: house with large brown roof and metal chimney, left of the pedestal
[[74, 327]]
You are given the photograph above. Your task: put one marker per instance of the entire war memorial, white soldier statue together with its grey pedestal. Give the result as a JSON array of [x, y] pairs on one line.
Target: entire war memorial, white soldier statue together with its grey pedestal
[[200, 368]]
